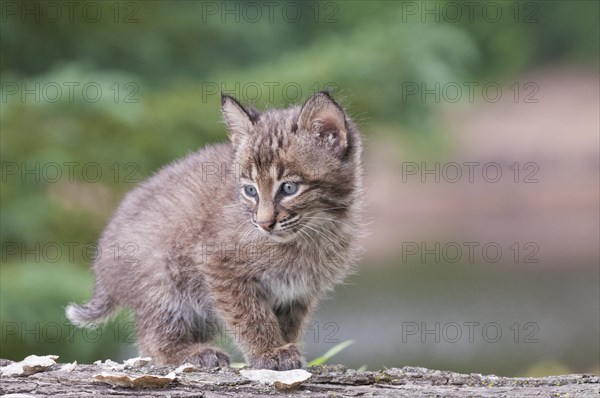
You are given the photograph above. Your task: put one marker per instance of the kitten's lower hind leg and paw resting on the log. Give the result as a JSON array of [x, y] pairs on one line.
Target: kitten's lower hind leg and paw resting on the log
[[175, 344]]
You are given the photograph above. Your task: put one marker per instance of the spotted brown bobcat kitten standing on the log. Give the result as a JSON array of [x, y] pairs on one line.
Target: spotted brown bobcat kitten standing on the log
[[245, 235]]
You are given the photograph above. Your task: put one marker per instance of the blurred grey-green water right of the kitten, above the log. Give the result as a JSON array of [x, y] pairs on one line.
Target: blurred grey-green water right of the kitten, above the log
[[392, 311]]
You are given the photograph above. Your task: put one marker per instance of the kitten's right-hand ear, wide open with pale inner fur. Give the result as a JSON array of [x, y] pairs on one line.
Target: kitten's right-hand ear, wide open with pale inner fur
[[322, 116]]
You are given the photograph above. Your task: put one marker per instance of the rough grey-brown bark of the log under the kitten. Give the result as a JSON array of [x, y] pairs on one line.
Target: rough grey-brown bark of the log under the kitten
[[327, 381]]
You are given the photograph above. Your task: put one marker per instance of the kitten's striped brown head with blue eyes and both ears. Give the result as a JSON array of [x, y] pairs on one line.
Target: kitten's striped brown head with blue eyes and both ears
[[299, 168]]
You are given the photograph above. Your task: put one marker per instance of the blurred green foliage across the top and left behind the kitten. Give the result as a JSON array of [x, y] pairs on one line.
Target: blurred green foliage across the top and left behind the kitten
[[161, 66]]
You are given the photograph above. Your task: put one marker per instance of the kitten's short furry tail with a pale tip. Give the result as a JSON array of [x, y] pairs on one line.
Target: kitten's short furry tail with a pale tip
[[96, 311]]
